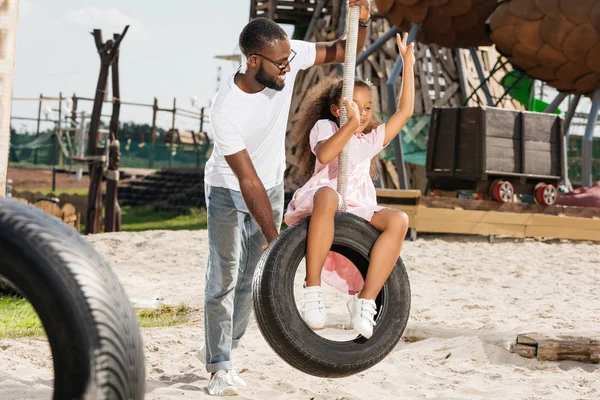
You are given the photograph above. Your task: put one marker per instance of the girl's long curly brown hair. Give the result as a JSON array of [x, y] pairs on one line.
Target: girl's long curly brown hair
[[316, 106]]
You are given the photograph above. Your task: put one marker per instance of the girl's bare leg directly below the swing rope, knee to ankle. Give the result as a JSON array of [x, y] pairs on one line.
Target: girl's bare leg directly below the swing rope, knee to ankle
[[320, 233]]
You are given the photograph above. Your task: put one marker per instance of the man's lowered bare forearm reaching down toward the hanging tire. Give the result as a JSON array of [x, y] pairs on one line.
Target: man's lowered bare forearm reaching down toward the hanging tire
[[254, 193]]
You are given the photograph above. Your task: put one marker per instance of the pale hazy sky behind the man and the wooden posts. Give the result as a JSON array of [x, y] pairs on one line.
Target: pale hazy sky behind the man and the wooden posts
[[167, 53]]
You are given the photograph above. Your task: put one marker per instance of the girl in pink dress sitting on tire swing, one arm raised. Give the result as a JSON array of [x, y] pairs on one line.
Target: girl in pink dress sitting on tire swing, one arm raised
[[317, 151]]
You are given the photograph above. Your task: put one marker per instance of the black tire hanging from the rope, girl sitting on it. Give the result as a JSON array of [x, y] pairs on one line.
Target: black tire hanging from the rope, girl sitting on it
[[282, 325]]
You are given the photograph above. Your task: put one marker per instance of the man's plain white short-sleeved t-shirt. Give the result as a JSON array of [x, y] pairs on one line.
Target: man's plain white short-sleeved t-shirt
[[256, 122]]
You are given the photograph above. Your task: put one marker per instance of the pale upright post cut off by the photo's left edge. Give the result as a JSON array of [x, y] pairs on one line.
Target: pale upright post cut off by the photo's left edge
[[9, 14]]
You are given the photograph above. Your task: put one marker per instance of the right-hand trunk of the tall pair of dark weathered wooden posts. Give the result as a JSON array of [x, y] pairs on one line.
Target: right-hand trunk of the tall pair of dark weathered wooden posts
[[112, 218]]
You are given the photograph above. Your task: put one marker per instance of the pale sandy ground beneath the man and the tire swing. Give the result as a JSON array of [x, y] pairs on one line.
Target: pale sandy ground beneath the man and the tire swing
[[463, 288]]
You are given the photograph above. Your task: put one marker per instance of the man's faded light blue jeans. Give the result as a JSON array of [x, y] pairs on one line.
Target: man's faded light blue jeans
[[235, 247]]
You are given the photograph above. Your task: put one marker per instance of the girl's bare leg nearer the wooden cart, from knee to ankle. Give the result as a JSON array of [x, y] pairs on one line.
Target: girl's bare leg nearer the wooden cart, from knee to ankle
[[393, 225]]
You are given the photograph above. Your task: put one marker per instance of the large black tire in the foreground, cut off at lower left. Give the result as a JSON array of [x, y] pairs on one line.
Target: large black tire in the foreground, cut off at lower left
[[91, 326]]
